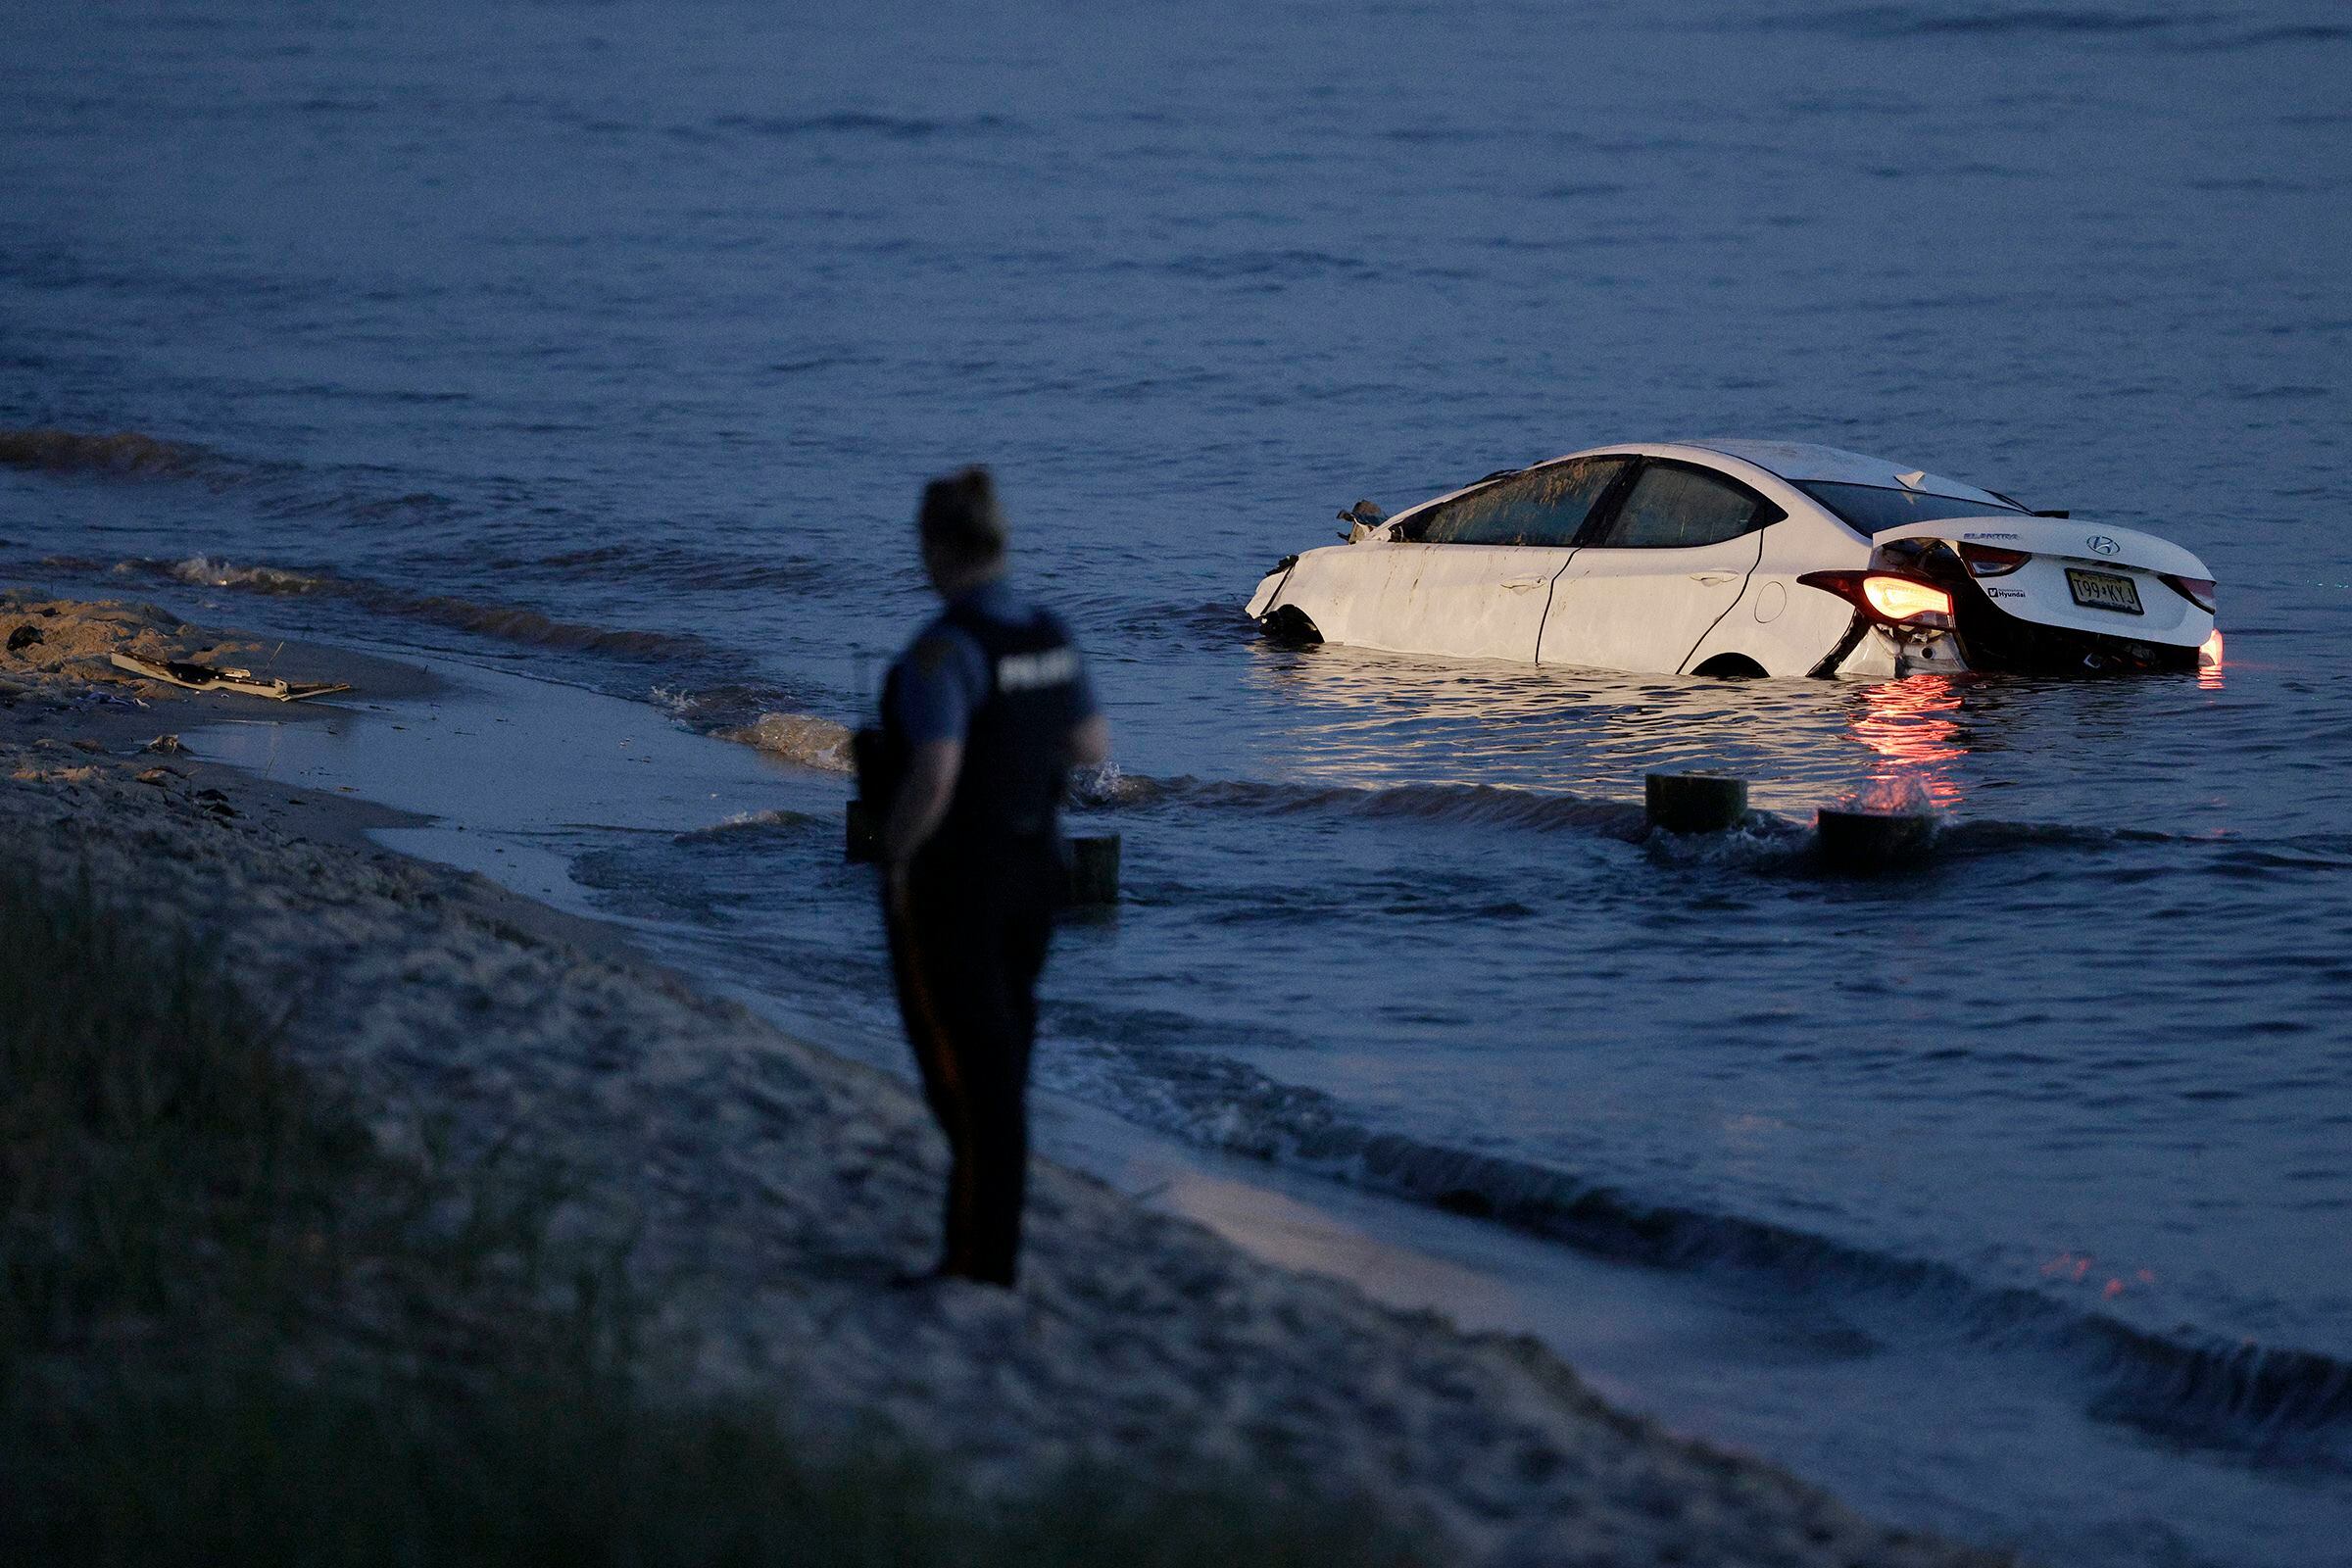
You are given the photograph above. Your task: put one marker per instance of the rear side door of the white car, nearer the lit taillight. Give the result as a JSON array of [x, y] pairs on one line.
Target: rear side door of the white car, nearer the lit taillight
[[1657, 572]]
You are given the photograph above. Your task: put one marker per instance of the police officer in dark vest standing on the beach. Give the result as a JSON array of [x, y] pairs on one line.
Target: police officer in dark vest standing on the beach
[[982, 721]]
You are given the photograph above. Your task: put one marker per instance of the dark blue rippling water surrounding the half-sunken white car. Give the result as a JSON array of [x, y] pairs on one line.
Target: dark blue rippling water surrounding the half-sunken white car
[[610, 344]]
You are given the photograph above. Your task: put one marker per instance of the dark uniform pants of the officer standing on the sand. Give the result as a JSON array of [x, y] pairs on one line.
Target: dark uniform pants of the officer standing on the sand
[[968, 956]]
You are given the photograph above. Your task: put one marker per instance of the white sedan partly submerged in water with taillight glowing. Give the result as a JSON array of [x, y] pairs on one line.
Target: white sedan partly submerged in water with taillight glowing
[[1746, 558]]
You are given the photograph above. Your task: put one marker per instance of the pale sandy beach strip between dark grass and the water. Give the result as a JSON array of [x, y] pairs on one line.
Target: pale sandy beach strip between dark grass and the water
[[775, 1188]]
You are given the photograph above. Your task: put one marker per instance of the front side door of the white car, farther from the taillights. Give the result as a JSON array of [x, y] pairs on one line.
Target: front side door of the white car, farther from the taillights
[[1474, 575]]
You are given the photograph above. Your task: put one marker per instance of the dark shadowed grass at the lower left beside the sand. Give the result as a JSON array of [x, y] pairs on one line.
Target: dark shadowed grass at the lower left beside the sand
[[239, 1332]]
